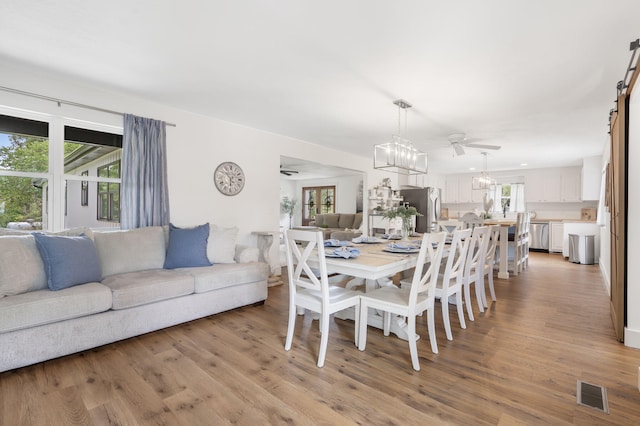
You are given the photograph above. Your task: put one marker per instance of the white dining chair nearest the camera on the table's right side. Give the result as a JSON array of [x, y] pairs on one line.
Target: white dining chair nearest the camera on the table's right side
[[409, 302]]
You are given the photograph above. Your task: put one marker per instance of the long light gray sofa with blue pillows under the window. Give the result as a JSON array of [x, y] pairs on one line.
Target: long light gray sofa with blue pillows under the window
[[61, 294]]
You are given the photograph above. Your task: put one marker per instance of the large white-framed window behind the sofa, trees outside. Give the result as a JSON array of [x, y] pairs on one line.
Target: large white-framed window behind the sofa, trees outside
[[47, 167]]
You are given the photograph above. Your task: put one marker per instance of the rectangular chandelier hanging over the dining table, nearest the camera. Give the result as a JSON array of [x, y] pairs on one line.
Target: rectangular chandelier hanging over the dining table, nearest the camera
[[399, 155]]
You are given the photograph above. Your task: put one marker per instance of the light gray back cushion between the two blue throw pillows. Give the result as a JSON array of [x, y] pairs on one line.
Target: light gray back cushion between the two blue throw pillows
[[128, 251]]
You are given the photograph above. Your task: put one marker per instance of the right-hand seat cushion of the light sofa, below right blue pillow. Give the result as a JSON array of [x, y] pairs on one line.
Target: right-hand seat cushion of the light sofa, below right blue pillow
[[223, 275]]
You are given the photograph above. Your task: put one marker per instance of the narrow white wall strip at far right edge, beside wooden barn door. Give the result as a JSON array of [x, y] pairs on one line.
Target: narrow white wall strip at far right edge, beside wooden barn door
[[632, 330]]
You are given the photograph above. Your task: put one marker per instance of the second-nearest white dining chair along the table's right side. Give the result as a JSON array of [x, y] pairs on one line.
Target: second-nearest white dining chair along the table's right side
[[450, 281]]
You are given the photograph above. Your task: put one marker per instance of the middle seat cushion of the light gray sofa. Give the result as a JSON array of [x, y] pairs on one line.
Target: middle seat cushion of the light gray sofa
[[138, 288]]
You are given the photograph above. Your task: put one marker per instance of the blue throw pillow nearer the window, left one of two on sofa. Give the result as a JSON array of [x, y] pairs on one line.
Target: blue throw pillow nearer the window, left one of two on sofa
[[68, 261]]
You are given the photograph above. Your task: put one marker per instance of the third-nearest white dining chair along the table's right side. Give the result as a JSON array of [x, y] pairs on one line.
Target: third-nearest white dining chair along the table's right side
[[474, 266]]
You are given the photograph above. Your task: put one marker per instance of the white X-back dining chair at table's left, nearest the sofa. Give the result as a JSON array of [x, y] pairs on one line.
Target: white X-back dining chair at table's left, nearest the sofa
[[309, 286]]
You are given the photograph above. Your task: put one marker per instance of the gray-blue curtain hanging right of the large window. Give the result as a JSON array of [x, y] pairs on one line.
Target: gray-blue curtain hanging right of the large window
[[144, 189]]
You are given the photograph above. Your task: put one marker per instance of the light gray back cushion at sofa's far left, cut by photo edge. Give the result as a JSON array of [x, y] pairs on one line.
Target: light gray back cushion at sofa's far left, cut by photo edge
[[21, 266]]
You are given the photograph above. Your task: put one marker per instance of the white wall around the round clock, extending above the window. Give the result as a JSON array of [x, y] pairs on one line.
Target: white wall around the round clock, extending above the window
[[195, 147]]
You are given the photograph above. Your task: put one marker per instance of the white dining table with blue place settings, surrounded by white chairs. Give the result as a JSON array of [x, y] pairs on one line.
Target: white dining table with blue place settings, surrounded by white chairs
[[375, 266]]
